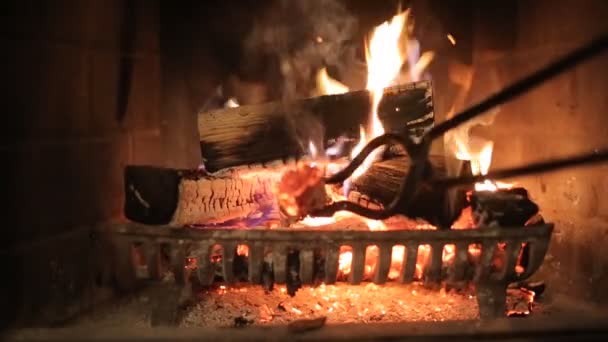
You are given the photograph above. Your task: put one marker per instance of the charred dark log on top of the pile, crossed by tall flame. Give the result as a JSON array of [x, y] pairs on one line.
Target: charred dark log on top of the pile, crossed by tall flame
[[261, 133]]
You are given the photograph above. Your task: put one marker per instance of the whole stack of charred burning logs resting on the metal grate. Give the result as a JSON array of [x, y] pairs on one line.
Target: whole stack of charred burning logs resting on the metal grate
[[245, 149]]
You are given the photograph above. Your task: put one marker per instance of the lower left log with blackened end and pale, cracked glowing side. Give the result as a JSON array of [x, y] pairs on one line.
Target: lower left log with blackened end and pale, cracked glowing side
[[185, 197]]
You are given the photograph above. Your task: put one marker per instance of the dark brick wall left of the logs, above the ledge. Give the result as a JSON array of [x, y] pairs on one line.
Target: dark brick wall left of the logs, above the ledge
[[63, 139]]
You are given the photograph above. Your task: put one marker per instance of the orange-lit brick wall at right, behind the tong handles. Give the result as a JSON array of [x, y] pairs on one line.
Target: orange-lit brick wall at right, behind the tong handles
[[560, 118]]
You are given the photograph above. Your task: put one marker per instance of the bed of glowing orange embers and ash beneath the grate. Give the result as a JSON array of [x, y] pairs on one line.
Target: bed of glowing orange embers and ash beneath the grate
[[345, 303]]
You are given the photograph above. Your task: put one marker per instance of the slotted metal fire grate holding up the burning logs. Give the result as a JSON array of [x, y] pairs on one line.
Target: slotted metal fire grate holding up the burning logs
[[269, 250]]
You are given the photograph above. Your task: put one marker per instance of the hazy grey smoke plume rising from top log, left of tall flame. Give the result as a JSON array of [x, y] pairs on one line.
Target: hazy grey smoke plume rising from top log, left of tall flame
[[298, 38]]
